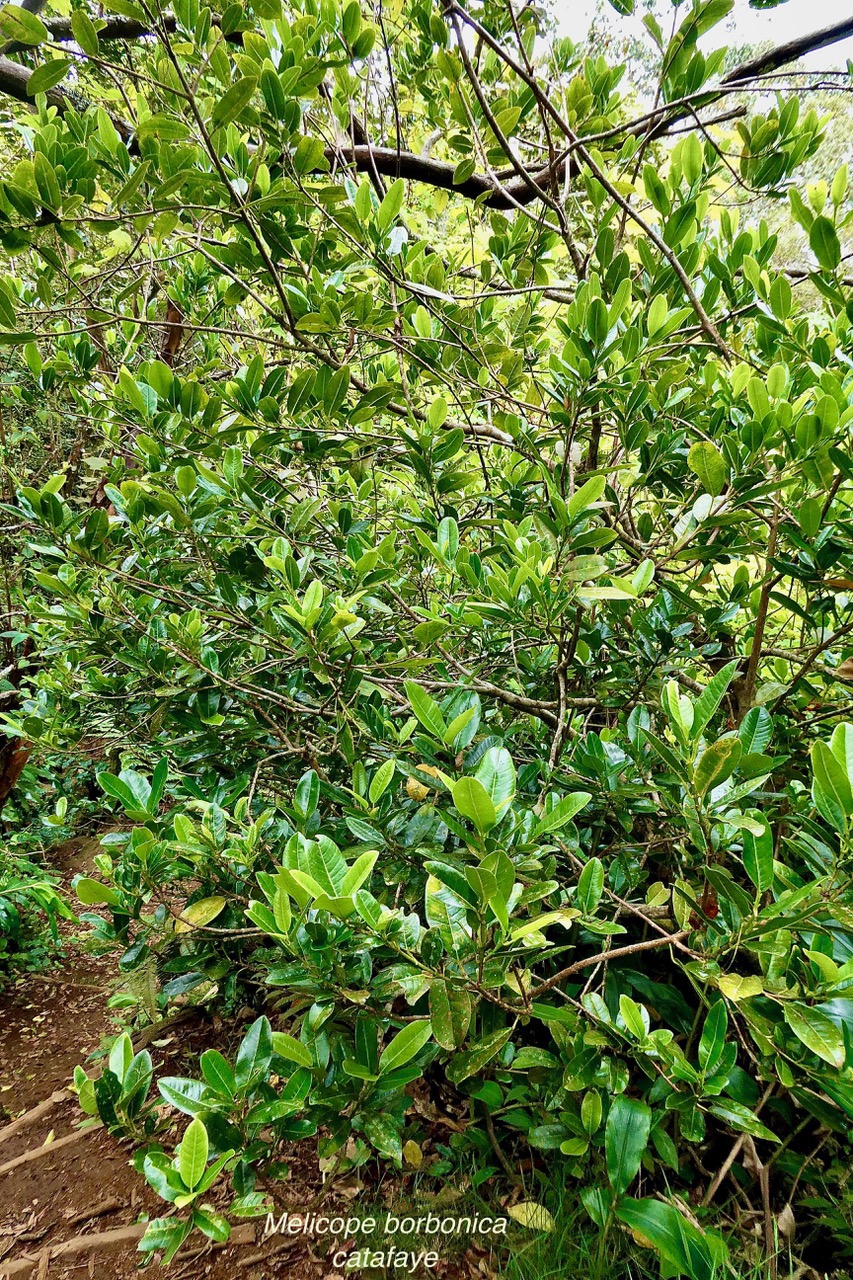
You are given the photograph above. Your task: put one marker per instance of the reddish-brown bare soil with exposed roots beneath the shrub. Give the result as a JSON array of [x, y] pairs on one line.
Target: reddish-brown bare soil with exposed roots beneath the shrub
[[81, 1183]]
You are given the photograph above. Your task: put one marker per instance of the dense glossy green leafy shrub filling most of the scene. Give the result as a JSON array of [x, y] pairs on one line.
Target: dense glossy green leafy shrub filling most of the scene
[[444, 550]]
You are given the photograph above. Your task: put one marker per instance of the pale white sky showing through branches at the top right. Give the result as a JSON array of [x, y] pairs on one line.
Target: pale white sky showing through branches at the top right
[[745, 25]]
